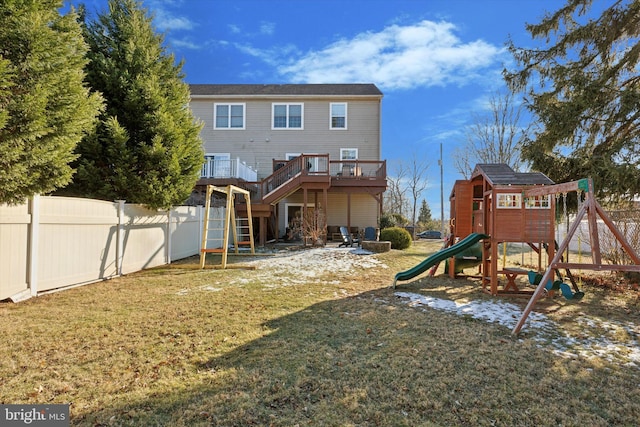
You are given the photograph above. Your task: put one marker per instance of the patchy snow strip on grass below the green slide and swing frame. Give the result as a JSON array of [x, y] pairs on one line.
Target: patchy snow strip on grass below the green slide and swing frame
[[597, 340]]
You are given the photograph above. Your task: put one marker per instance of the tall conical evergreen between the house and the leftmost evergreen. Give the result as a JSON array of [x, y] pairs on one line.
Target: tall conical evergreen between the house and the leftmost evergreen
[[147, 147]]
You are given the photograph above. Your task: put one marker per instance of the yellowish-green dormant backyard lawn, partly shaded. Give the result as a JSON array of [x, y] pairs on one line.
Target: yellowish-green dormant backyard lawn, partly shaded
[[317, 339]]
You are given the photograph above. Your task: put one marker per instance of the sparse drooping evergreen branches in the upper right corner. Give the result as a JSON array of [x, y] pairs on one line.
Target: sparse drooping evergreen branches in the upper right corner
[[584, 87]]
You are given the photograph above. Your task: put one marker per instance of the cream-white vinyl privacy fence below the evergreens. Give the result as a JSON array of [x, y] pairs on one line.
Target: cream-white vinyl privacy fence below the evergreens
[[52, 242]]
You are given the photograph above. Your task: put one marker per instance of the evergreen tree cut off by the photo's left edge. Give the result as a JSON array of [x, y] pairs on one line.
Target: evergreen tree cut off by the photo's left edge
[[45, 108]]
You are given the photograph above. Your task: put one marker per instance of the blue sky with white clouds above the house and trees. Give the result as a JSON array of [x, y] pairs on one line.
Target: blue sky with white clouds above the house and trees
[[436, 61]]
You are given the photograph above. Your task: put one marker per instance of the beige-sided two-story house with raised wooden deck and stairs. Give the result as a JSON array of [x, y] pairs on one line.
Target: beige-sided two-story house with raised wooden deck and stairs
[[311, 148]]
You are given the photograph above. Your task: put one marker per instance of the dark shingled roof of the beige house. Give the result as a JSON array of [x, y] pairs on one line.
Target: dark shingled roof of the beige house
[[349, 89]]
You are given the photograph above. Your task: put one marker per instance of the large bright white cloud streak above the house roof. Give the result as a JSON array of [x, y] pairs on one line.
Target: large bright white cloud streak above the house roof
[[398, 57]]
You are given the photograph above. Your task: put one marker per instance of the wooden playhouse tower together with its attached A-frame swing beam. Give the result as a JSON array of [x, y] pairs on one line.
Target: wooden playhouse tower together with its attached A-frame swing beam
[[500, 206]]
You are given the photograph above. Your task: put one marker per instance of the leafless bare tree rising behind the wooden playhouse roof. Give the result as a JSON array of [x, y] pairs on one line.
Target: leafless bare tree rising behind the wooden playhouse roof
[[495, 137]]
